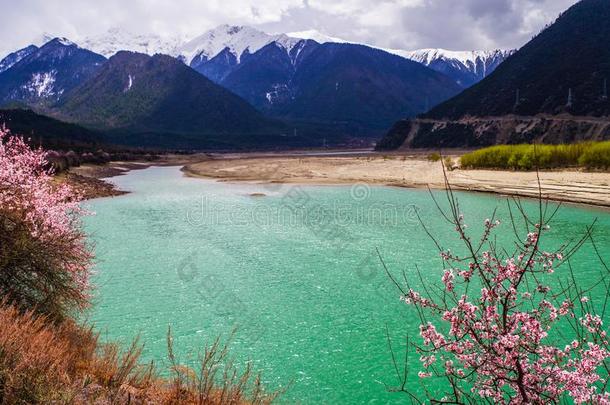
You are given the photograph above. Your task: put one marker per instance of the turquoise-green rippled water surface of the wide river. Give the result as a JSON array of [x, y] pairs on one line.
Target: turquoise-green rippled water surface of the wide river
[[295, 270]]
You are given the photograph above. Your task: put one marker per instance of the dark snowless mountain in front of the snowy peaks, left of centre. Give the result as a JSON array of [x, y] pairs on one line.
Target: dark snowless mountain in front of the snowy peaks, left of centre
[[137, 96]]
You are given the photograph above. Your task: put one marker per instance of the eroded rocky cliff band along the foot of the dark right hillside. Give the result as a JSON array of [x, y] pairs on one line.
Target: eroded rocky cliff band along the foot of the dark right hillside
[[486, 131]]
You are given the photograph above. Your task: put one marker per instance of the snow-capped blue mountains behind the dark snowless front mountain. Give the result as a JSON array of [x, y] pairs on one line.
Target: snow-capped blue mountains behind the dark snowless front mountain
[[302, 75]]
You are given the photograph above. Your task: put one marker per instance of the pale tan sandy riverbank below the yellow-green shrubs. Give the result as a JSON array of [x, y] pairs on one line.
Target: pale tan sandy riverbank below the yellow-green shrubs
[[410, 171]]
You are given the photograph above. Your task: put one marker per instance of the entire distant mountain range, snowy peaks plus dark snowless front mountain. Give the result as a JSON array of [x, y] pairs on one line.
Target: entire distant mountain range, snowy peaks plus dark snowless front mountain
[[233, 84]]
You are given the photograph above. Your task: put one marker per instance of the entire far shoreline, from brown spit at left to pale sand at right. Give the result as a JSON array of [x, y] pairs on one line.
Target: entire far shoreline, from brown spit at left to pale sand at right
[[404, 171]]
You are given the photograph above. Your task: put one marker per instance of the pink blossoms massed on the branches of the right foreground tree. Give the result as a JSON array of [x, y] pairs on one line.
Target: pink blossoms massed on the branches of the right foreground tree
[[497, 340]]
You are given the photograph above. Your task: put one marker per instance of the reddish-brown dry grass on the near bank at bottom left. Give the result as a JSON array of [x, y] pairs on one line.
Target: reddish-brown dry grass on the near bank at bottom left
[[43, 362]]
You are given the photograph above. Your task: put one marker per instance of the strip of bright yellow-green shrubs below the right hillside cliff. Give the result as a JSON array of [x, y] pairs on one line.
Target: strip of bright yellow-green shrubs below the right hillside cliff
[[590, 155]]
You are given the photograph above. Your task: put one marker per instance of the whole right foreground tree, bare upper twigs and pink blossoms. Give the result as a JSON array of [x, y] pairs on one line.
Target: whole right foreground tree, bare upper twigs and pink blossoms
[[494, 331]]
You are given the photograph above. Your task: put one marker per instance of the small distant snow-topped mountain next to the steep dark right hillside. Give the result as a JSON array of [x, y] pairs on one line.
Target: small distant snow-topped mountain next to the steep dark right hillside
[[466, 68]]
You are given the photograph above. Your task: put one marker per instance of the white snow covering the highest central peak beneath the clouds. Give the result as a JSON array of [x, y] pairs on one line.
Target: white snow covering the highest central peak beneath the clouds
[[237, 38]]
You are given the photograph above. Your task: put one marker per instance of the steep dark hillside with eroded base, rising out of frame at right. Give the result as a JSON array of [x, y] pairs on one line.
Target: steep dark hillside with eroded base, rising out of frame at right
[[554, 89]]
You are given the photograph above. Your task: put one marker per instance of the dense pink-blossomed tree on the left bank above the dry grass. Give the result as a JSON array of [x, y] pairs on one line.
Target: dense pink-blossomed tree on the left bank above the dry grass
[[44, 260]]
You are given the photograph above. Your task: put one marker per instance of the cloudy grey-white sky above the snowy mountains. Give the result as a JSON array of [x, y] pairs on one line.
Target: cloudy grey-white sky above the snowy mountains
[[403, 24]]
